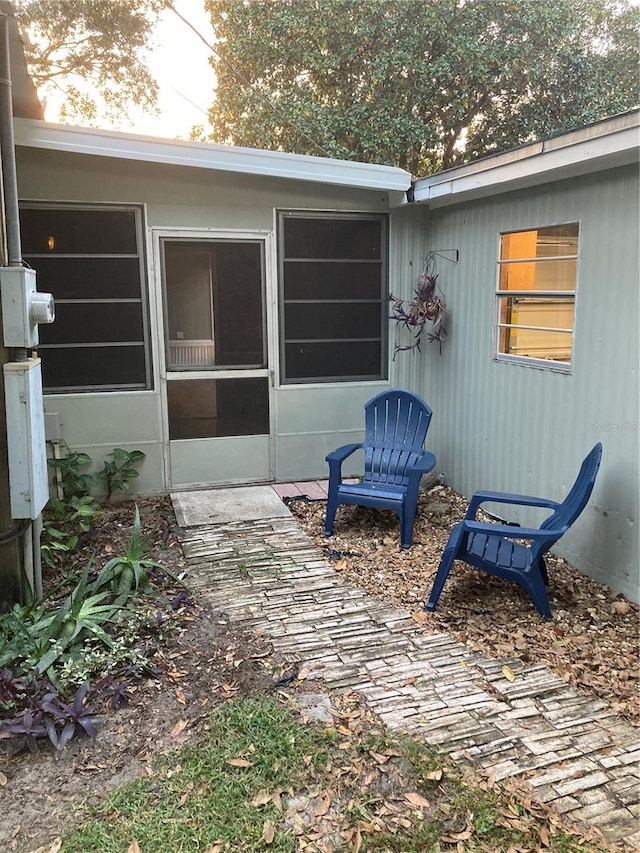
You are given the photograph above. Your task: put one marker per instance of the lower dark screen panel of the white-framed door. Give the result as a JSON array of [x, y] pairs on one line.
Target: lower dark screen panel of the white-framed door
[[206, 408]]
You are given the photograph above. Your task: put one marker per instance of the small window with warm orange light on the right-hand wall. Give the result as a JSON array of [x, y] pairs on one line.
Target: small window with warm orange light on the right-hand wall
[[537, 274]]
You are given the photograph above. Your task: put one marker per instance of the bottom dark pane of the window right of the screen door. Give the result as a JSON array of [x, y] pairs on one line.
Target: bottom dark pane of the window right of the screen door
[[335, 360]]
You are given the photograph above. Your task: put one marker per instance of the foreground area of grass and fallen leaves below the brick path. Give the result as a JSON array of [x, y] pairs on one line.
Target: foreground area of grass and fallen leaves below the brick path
[[197, 800]]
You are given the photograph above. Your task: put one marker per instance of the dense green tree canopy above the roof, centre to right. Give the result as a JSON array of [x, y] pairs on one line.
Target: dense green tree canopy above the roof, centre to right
[[423, 85]]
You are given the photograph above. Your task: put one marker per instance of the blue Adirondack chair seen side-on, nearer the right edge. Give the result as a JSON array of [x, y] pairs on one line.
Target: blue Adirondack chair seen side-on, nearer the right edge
[[491, 547]]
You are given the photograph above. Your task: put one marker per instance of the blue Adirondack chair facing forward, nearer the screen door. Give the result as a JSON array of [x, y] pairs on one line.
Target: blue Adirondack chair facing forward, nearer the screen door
[[396, 424]]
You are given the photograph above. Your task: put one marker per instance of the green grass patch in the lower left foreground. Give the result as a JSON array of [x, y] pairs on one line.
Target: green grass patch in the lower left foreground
[[197, 798]]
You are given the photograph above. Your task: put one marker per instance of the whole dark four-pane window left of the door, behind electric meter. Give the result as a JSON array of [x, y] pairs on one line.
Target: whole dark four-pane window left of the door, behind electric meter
[[91, 259]]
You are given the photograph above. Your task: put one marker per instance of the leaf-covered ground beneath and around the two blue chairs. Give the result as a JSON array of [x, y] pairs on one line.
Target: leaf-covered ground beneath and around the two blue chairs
[[592, 642]]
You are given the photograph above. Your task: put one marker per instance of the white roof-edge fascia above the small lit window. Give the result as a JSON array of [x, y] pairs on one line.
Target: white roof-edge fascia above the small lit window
[[537, 163]]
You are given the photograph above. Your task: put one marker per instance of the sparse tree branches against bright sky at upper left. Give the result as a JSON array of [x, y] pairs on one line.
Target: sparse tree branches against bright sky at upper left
[[90, 51]]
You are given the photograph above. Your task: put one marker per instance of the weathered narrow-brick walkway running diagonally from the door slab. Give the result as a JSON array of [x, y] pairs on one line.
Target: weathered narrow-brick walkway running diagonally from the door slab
[[575, 752]]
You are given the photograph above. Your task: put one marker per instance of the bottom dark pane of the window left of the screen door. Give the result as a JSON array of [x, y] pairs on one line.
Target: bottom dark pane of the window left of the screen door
[[84, 368]]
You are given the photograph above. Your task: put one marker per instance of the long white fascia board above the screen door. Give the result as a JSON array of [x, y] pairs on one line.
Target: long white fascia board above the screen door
[[226, 158]]
